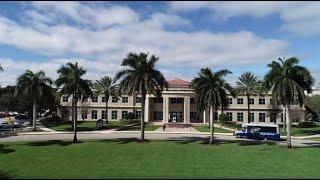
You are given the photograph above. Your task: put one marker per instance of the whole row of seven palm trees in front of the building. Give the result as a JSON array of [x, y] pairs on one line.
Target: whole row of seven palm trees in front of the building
[[286, 79]]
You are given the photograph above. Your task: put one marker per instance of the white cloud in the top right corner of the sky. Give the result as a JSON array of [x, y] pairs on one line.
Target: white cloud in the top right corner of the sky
[[300, 18]]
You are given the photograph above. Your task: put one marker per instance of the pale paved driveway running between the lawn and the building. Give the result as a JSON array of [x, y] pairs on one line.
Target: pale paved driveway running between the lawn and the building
[[188, 137]]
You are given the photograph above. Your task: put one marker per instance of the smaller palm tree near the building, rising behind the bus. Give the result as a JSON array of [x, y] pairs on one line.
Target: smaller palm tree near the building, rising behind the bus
[[248, 85]]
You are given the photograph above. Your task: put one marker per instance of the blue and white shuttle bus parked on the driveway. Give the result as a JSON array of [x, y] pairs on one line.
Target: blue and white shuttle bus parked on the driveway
[[259, 131]]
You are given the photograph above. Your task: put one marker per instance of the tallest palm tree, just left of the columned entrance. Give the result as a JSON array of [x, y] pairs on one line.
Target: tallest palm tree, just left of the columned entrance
[[141, 76]]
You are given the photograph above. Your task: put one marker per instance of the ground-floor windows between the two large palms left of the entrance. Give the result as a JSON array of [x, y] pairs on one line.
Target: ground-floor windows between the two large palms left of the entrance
[[114, 114]]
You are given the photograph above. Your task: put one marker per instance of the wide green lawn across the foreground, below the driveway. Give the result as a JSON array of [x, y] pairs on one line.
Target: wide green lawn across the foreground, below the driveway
[[157, 159]]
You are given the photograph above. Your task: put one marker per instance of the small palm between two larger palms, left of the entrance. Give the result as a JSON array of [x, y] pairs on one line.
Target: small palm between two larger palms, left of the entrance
[[106, 87]]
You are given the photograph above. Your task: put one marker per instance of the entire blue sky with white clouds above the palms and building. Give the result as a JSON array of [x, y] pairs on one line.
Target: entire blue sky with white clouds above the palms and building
[[186, 36]]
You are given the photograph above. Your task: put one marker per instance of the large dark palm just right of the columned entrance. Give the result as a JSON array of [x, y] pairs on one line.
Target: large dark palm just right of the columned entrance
[[211, 90]]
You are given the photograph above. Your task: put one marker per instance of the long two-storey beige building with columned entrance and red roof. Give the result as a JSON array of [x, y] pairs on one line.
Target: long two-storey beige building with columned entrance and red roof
[[178, 105]]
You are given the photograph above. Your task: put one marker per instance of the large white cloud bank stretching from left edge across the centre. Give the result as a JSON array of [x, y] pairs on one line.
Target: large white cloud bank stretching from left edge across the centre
[[50, 33]]
